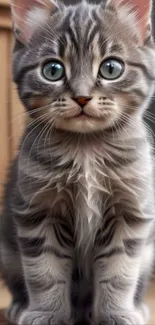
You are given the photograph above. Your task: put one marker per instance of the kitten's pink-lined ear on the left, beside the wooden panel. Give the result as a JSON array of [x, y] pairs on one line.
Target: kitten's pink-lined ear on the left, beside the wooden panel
[[28, 15]]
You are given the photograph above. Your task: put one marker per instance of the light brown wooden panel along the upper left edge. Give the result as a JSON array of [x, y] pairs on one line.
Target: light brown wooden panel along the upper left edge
[[11, 119]]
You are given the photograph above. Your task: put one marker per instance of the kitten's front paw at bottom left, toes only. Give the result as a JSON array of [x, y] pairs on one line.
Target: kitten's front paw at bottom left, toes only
[[41, 318]]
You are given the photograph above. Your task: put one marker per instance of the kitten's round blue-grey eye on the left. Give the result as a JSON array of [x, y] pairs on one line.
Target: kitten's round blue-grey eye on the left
[[53, 70]]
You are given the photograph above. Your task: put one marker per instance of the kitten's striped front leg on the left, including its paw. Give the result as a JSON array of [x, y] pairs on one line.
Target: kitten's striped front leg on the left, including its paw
[[47, 263]]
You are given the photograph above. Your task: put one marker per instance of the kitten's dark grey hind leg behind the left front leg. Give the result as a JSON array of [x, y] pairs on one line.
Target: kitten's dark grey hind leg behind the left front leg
[[11, 268]]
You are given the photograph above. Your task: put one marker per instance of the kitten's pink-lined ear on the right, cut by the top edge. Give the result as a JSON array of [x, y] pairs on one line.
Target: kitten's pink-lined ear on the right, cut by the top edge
[[142, 10]]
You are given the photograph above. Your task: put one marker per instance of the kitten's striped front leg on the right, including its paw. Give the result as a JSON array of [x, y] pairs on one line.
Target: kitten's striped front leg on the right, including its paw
[[117, 262]]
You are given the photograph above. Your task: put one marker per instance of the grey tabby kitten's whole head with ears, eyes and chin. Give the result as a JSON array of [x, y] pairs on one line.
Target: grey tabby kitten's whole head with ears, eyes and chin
[[85, 67]]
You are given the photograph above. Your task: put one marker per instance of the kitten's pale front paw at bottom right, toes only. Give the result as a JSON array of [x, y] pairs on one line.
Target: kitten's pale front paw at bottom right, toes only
[[130, 318]]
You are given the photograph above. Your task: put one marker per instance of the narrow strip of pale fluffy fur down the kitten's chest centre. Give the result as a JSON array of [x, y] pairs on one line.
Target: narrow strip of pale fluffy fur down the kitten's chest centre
[[91, 192]]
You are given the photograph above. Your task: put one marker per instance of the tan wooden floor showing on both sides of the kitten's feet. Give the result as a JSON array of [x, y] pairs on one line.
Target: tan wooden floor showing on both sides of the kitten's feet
[[150, 298]]
